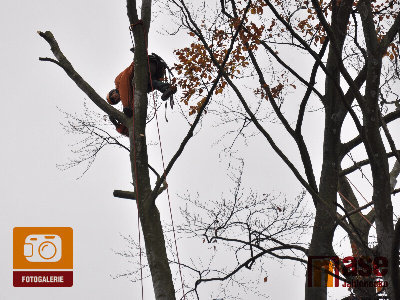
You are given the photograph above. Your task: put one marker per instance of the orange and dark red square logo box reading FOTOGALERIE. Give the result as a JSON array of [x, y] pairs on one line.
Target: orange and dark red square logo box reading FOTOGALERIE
[[43, 256]]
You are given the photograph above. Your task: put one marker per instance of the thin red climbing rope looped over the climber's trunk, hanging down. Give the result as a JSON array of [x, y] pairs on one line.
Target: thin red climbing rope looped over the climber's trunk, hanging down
[[162, 154]]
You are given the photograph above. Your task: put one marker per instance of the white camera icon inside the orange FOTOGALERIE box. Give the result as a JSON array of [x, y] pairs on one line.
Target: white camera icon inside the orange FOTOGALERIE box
[[42, 248]]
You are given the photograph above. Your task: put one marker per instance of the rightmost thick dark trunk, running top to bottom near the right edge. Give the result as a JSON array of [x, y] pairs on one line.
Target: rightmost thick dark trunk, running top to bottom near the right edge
[[373, 140]]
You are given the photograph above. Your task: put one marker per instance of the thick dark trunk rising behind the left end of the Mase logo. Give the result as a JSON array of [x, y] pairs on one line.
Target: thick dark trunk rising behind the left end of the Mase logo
[[324, 225]]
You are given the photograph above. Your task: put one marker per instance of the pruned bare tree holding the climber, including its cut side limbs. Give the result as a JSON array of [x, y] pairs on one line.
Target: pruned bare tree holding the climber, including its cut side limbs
[[144, 194]]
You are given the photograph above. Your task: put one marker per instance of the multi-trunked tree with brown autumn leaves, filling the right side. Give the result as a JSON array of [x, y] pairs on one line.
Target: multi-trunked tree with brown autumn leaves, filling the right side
[[352, 46]]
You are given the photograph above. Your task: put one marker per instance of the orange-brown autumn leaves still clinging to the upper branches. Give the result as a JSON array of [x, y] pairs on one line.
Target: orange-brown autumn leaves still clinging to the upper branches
[[197, 71]]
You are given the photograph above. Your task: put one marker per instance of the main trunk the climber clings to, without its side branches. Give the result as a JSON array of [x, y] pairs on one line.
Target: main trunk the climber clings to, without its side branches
[[149, 215]]
